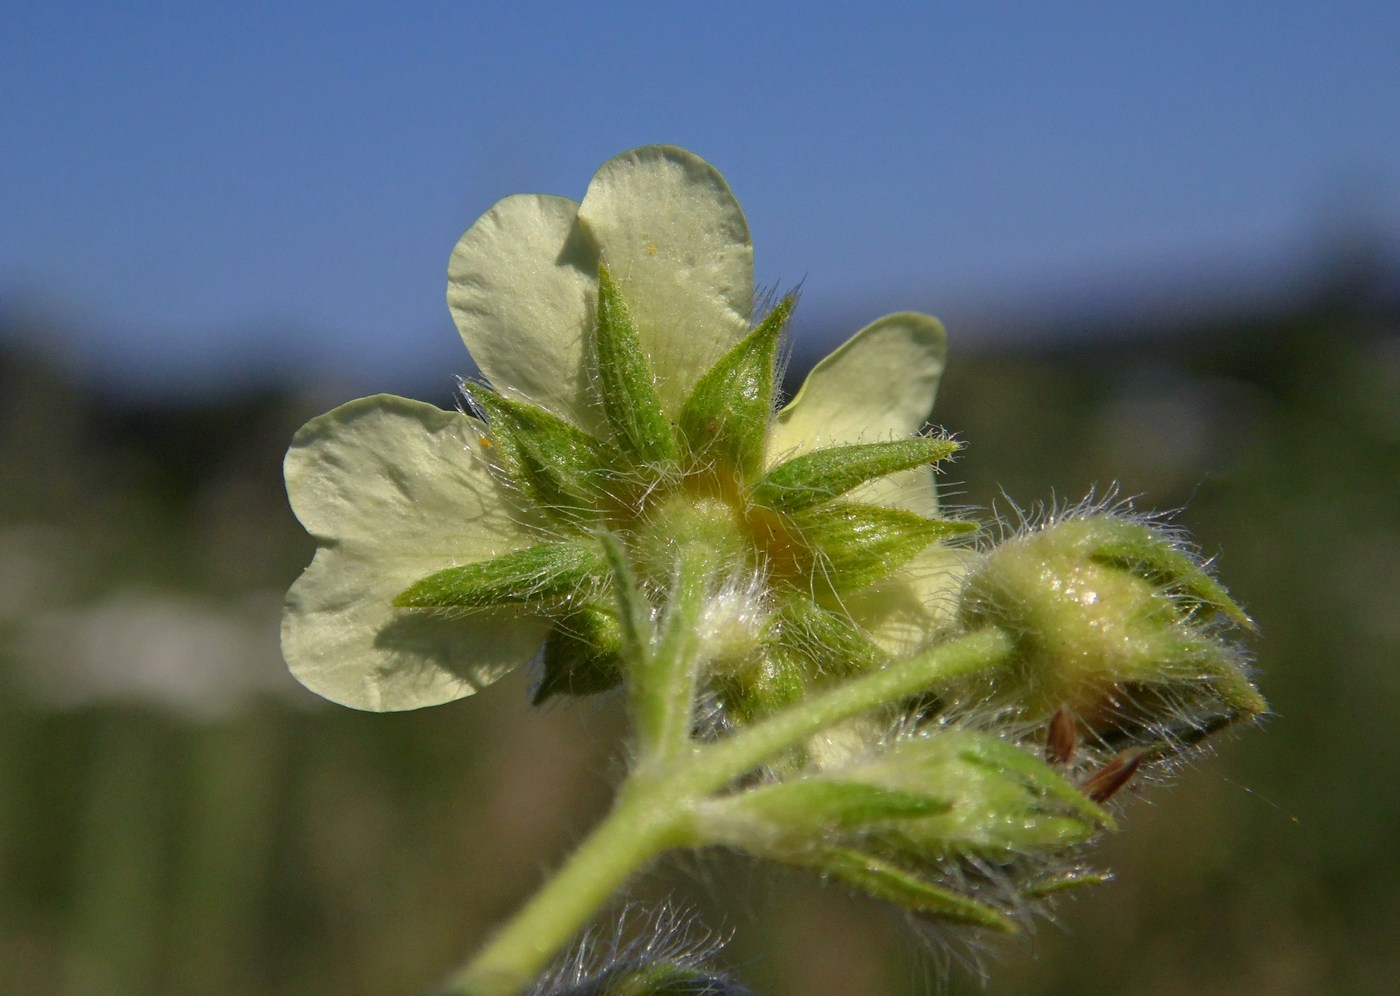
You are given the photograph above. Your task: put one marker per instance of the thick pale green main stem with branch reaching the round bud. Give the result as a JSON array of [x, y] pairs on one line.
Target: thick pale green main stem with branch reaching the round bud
[[656, 803]]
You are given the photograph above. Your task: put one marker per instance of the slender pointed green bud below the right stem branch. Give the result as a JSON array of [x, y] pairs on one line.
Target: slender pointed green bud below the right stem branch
[[901, 822]]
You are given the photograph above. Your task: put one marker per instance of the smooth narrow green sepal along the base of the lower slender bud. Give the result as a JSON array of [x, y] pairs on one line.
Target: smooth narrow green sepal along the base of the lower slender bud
[[815, 806]]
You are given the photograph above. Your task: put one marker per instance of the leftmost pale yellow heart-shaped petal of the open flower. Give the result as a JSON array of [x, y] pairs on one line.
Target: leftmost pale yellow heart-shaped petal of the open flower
[[394, 491]]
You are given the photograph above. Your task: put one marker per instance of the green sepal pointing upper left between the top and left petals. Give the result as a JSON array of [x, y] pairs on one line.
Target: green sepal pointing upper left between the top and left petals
[[556, 463]]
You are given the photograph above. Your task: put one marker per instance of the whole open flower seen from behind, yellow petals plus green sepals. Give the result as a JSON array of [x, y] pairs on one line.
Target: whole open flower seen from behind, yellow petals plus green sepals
[[631, 408]]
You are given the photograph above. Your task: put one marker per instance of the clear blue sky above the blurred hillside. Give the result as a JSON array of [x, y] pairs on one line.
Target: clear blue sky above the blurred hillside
[[190, 188]]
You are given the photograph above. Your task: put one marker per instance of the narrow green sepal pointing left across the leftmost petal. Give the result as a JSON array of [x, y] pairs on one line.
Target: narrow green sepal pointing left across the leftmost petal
[[548, 575]]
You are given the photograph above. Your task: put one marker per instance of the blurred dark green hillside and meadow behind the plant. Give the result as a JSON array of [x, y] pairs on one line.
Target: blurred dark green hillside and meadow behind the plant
[[177, 816]]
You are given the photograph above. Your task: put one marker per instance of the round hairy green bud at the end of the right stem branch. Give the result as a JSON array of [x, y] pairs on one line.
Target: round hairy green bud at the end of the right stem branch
[[1107, 610]]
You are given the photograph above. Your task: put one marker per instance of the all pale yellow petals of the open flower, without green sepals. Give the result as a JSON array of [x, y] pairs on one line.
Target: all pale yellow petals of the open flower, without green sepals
[[394, 491]]
